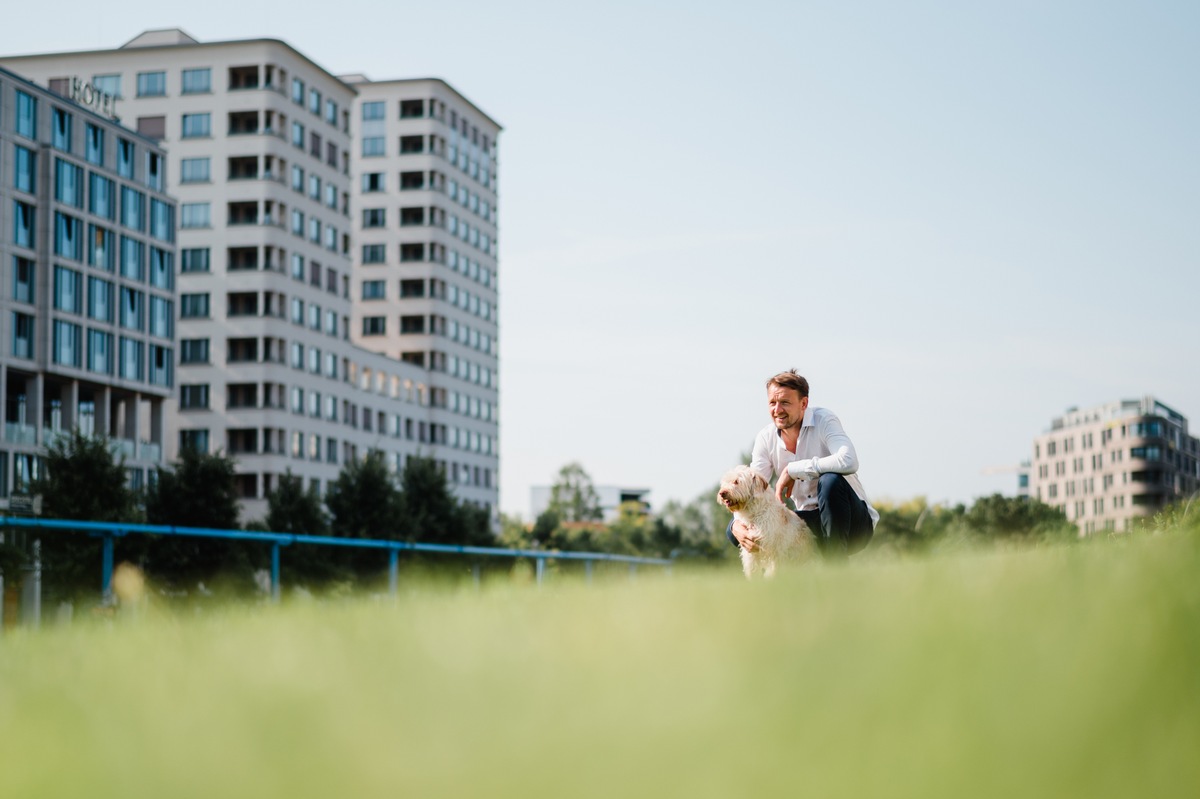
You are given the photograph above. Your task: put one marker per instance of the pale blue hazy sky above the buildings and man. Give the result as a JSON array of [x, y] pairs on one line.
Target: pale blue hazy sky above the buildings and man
[[957, 220]]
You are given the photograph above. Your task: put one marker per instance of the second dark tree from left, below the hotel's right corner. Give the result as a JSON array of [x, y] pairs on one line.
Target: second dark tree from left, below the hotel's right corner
[[200, 490]]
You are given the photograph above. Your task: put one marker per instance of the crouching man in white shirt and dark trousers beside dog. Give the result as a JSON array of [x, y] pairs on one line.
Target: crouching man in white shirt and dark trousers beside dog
[[817, 465]]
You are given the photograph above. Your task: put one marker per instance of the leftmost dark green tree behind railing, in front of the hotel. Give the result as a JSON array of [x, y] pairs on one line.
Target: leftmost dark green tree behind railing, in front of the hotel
[[83, 480]]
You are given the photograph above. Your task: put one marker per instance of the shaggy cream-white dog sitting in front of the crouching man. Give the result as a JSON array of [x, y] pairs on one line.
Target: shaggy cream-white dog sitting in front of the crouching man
[[779, 532]]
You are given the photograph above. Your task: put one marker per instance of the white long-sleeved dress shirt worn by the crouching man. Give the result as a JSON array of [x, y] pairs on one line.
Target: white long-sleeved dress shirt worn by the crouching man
[[823, 447]]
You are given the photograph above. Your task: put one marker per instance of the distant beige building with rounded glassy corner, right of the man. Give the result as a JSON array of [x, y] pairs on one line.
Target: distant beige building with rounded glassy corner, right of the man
[[1109, 465]]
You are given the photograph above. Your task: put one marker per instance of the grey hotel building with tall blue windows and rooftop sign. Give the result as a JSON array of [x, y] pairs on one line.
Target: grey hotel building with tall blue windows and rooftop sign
[[87, 280]]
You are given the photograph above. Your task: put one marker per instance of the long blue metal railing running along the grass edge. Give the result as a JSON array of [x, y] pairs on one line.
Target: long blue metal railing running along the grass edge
[[111, 531]]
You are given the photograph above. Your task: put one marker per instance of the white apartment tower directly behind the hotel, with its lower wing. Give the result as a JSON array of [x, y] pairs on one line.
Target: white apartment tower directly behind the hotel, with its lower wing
[[261, 151]]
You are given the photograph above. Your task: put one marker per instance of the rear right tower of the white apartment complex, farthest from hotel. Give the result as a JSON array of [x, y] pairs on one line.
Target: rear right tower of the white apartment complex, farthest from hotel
[[424, 217]]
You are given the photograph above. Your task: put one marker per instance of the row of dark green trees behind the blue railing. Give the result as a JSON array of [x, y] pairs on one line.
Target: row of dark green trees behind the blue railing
[[82, 479]]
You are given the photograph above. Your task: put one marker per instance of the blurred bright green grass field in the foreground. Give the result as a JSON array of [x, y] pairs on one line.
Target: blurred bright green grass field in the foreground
[[1055, 672]]
